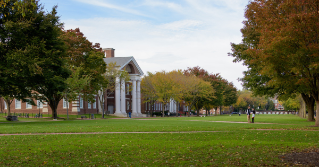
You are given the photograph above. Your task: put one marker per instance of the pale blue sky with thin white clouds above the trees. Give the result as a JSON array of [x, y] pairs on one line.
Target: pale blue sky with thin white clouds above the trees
[[162, 34]]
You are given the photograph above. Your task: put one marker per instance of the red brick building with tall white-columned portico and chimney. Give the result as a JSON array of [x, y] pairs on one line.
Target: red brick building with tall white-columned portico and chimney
[[126, 97]]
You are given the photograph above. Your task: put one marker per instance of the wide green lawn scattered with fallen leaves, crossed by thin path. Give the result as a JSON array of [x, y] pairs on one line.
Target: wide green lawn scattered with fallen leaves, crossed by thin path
[[234, 144]]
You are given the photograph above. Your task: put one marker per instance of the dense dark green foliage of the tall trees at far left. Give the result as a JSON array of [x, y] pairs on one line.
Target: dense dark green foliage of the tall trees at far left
[[31, 52]]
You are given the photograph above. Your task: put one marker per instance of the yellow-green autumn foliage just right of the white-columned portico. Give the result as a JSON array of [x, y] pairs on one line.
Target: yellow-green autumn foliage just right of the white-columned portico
[[174, 85]]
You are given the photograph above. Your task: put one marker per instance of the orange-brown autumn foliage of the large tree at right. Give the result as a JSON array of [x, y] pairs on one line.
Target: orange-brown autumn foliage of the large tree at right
[[283, 53]]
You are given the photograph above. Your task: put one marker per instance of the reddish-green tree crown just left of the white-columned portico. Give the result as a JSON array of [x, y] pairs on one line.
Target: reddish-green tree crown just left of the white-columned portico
[[88, 58]]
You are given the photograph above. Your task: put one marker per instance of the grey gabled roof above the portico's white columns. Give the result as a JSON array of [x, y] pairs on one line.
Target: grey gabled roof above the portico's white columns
[[123, 61]]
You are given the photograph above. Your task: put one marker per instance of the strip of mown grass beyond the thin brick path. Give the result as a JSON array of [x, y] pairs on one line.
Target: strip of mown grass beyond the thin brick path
[[38, 125]]
